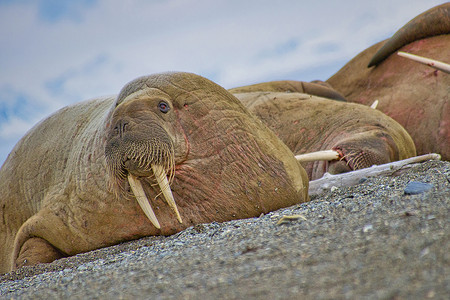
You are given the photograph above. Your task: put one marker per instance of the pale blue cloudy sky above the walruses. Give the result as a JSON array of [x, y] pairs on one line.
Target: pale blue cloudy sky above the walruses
[[57, 52]]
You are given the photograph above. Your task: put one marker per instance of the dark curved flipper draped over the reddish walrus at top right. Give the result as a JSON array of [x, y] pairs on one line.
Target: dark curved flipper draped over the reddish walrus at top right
[[435, 21]]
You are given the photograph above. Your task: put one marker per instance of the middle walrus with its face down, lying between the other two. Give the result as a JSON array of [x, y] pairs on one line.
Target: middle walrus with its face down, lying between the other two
[[363, 136]]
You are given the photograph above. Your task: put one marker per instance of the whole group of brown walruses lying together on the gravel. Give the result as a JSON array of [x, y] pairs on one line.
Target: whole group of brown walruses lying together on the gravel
[[172, 150]]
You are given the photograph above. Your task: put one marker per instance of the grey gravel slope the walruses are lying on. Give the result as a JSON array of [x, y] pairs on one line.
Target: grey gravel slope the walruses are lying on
[[374, 240]]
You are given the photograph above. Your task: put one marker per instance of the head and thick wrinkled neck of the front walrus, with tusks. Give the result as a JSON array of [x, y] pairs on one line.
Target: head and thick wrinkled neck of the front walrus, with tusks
[[183, 130]]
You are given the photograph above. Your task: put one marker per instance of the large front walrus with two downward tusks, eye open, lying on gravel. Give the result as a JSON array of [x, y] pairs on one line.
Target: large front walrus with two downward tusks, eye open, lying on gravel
[[170, 151]]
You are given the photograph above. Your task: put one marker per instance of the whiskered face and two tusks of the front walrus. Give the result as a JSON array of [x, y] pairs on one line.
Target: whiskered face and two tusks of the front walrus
[[141, 145]]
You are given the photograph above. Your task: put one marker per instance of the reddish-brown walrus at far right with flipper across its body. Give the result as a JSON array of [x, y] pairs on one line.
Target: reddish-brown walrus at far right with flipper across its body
[[415, 95]]
